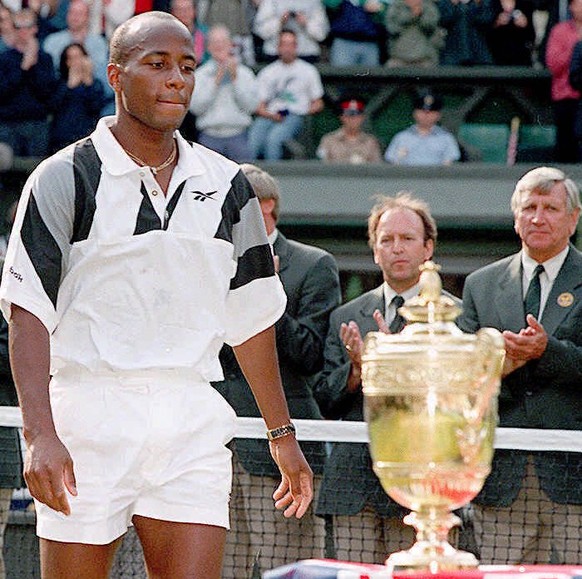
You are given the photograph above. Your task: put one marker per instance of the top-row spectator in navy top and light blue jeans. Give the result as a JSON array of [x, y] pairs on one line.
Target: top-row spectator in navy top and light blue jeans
[[357, 31]]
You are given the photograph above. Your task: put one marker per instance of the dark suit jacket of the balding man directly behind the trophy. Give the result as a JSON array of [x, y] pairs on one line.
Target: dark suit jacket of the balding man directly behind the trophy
[[349, 483]]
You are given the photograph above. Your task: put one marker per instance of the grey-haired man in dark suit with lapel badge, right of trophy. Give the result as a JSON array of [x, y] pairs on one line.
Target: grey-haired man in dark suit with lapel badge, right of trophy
[[530, 506]]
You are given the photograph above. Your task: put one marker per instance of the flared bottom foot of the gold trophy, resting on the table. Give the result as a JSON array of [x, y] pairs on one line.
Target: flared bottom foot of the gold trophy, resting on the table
[[426, 556]]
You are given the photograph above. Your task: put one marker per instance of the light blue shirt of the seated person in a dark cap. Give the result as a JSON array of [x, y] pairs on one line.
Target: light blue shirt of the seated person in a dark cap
[[410, 147]]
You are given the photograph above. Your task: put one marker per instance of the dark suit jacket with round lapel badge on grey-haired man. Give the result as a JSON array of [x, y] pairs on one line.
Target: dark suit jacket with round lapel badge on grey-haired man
[[545, 393]]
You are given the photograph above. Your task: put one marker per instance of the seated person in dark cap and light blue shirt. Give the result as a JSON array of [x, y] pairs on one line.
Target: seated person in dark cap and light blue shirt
[[425, 142]]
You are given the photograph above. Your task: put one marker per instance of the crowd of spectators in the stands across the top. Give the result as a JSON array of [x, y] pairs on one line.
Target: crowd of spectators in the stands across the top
[[252, 100]]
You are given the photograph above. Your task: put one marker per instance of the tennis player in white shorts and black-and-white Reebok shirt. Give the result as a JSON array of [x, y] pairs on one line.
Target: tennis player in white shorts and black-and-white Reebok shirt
[[135, 255]]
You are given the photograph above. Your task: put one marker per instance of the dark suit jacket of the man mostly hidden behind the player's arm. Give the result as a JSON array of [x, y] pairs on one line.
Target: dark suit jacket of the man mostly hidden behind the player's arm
[[311, 281]]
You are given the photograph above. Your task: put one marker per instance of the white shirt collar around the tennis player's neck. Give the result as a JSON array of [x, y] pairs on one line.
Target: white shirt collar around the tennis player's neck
[[117, 162]]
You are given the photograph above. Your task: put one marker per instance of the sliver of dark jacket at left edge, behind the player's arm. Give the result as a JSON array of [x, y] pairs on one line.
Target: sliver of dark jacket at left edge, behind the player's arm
[[10, 455]]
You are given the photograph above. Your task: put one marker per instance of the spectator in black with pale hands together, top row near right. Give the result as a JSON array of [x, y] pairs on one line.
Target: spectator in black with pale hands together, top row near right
[[512, 35]]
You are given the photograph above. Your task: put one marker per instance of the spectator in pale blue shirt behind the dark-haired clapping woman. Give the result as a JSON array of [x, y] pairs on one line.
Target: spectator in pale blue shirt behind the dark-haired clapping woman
[[77, 31]]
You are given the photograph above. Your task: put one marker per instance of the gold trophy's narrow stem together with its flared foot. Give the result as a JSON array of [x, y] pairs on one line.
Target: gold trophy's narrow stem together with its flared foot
[[432, 551]]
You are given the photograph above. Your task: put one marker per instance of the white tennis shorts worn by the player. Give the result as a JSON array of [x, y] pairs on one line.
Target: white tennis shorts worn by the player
[[148, 443]]
